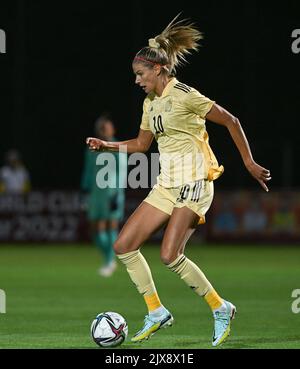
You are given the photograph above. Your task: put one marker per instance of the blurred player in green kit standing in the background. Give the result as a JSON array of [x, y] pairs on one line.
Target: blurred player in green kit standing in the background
[[104, 179]]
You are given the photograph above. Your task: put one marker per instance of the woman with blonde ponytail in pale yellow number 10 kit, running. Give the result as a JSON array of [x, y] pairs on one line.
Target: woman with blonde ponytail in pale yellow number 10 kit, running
[[174, 114]]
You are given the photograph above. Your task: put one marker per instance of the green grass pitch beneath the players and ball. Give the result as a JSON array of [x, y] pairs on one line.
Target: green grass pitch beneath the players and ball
[[53, 293]]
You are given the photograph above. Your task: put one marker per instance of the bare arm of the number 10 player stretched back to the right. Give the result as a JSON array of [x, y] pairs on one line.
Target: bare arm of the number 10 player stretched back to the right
[[219, 115]]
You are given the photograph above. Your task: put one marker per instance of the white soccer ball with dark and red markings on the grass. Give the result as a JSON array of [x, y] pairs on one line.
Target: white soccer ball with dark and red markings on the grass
[[109, 329]]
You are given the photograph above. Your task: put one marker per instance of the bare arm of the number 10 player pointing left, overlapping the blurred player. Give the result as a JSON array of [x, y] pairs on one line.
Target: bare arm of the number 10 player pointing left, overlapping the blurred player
[[141, 143]]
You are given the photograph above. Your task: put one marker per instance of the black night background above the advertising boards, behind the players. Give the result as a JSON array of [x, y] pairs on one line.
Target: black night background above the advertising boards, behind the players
[[66, 62]]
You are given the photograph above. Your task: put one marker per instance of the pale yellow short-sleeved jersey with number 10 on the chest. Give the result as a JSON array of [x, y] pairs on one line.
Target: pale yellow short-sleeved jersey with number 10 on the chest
[[177, 120]]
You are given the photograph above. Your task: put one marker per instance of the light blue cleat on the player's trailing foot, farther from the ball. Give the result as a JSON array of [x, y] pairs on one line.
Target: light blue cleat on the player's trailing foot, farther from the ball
[[222, 323]]
